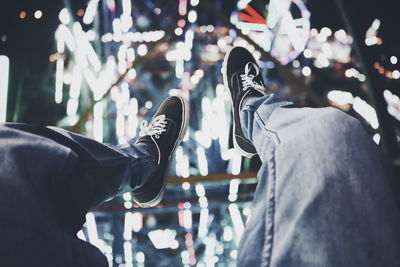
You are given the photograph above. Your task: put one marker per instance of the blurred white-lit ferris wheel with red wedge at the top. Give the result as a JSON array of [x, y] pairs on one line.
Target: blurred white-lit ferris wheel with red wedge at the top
[[285, 31]]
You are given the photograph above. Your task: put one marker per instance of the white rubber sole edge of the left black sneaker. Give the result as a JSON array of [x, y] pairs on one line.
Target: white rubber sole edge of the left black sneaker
[[185, 118]]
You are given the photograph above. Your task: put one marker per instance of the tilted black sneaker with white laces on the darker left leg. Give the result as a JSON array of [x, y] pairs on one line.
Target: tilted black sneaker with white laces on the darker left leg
[[165, 131]]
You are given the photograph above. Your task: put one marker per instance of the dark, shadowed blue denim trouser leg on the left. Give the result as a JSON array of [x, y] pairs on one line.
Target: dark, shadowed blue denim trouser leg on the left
[[47, 184]]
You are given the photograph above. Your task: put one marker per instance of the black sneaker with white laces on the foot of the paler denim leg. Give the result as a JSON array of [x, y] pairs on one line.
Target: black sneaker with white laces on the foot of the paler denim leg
[[243, 78]]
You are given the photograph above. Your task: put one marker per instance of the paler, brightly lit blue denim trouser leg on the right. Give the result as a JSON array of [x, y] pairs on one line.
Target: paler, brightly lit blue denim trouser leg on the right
[[322, 197]]
